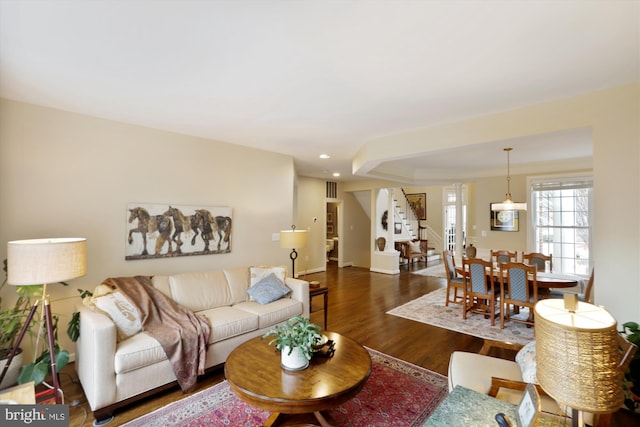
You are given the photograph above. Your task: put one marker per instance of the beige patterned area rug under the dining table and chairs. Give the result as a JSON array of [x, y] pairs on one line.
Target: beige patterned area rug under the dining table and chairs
[[430, 309]]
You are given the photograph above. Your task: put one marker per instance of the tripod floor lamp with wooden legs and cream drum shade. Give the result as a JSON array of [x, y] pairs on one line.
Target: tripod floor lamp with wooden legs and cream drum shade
[[42, 261]]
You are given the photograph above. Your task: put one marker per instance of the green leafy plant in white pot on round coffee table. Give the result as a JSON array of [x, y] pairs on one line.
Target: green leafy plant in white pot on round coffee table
[[295, 339]]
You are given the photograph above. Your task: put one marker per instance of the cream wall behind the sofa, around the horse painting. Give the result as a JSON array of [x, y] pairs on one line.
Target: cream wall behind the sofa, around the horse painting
[[64, 175]]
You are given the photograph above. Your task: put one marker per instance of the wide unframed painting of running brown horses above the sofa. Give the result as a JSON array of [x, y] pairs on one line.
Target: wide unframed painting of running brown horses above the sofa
[[164, 231]]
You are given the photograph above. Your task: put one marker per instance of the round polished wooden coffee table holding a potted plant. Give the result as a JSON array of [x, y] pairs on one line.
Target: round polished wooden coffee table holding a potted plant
[[254, 373]]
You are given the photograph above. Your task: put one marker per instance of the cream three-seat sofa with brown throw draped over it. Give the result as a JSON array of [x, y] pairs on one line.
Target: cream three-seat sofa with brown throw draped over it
[[115, 373]]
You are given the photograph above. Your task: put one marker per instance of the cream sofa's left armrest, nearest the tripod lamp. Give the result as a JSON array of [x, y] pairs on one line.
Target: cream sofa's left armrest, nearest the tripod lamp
[[95, 356]]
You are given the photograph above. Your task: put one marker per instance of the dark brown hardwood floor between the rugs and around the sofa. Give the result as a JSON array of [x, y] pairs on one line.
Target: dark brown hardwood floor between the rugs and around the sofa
[[358, 302]]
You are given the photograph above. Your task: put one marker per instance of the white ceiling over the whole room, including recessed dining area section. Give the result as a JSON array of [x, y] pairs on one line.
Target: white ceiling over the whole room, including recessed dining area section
[[312, 77]]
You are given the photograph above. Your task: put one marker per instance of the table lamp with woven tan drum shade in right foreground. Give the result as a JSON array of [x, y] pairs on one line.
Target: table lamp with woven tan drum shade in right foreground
[[577, 356]]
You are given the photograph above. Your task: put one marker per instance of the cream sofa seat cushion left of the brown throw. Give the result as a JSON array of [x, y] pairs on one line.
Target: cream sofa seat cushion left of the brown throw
[[137, 352]]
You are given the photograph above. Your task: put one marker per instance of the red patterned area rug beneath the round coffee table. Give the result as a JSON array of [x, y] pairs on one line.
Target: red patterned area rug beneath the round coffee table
[[396, 394]]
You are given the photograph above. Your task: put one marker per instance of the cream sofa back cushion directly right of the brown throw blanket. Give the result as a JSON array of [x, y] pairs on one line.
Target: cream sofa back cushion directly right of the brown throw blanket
[[200, 291]]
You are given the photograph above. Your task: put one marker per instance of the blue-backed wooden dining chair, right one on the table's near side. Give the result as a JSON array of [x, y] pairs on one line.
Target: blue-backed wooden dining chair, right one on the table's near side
[[518, 287]]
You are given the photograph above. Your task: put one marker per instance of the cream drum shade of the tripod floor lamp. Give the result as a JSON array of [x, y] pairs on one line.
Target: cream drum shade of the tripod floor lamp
[[43, 261]]
